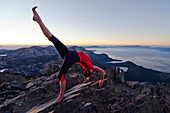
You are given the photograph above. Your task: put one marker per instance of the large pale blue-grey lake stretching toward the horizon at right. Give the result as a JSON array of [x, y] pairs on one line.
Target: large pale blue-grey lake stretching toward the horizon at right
[[148, 58]]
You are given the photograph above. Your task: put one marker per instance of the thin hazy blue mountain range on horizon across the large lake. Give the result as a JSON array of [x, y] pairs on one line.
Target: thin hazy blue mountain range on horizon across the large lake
[[161, 48]]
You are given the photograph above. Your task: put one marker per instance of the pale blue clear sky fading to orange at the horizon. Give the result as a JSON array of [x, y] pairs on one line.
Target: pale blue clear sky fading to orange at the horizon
[[86, 22]]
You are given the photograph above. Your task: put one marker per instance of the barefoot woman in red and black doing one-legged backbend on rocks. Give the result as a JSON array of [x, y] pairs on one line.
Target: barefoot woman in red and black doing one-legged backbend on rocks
[[69, 58]]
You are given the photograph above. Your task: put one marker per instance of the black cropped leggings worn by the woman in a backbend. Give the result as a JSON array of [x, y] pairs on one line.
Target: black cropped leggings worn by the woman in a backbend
[[69, 57]]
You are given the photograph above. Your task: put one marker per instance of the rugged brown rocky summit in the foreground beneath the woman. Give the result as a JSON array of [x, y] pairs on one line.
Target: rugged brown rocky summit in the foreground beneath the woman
[[36, 94]]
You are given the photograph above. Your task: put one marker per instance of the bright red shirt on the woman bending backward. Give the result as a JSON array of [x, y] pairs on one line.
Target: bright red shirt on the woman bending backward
[[85, 60]]
